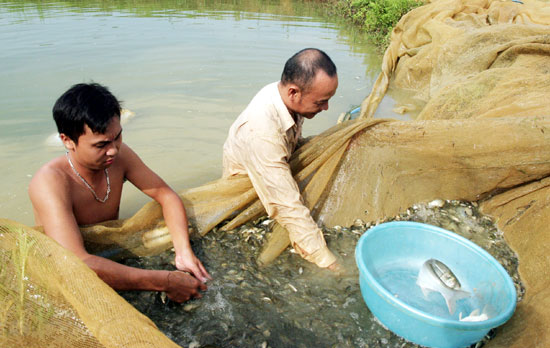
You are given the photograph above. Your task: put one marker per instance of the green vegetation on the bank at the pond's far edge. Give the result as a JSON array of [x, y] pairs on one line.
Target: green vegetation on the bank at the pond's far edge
[[376, 17]]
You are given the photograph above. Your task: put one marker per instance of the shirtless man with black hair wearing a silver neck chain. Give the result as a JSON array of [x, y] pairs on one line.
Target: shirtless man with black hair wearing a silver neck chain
[[84, 186]]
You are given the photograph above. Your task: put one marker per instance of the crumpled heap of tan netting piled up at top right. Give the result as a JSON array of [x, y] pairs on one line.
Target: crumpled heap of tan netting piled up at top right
[[469, 58]]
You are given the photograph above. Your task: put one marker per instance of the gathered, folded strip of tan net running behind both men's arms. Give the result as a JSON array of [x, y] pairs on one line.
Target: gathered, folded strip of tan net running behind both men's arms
[[228, 202]]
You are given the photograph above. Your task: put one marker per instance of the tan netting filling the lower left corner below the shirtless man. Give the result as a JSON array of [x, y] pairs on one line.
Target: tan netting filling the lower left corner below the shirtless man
[[49, 298]]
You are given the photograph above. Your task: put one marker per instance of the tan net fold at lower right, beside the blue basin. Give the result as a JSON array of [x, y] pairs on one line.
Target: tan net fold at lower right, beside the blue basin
[[523, 214]]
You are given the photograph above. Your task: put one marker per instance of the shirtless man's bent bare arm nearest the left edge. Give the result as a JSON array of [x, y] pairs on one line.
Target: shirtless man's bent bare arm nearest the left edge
[[53, 208]]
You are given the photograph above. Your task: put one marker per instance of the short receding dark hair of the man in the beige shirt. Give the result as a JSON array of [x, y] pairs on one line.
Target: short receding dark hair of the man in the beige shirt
[[302, 67]]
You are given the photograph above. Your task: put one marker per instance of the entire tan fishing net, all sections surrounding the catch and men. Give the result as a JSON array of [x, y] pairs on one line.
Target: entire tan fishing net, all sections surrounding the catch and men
[[478, 75]]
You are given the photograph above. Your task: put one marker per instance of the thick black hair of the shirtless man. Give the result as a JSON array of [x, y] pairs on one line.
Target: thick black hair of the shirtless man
[[91, 104]]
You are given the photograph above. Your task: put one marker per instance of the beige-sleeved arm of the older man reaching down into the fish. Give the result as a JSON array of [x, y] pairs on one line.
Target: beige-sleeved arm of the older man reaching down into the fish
[[272, 179]]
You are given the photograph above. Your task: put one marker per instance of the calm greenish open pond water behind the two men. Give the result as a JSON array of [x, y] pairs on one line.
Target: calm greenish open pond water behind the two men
[[184, 68]]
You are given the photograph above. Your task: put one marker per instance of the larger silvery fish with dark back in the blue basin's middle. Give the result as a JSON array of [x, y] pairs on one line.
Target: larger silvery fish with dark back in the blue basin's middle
[[434, 275]]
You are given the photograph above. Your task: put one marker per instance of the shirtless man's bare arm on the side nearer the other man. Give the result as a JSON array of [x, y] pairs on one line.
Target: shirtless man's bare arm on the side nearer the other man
[[173, 211]]
